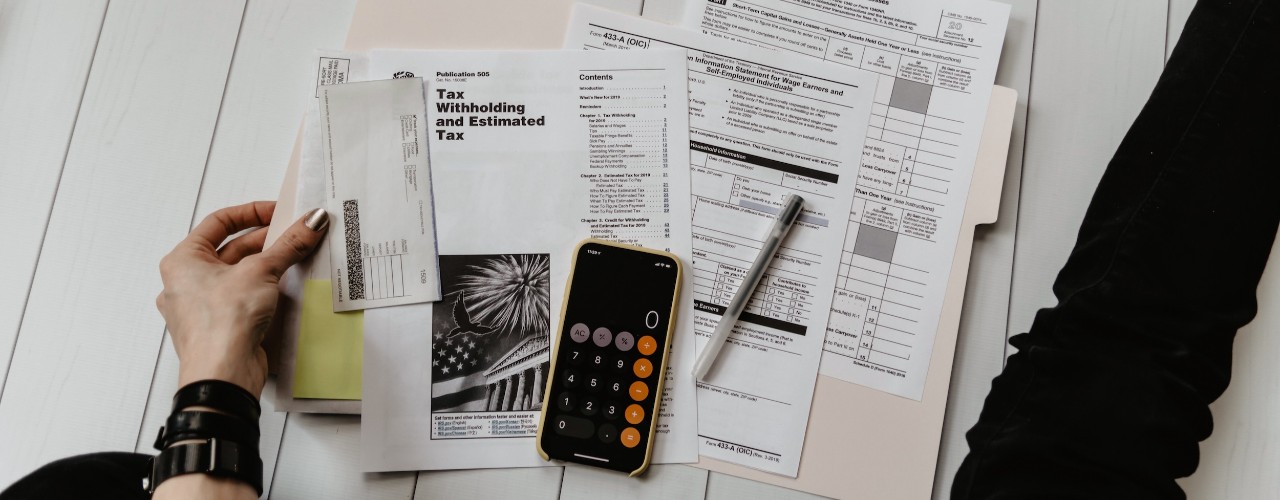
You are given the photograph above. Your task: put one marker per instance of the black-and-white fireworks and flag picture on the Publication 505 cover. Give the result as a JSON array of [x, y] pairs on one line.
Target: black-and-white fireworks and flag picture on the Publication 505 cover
[[491, 334]]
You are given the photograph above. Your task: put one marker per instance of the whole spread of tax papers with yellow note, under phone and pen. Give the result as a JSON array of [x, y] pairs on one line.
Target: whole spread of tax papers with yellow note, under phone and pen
[[871, 112]]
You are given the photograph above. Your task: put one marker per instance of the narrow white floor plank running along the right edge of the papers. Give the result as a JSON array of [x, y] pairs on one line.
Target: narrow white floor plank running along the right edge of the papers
[[984, 322]]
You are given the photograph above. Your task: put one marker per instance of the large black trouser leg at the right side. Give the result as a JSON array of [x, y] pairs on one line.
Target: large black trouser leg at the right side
[[1108, 396]]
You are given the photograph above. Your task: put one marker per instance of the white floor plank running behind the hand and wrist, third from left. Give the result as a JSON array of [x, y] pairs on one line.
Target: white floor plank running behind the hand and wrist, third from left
[[267, 95]]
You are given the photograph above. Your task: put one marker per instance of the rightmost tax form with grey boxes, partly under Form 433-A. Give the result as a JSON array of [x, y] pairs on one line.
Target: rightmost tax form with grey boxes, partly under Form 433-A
[[936, 63]]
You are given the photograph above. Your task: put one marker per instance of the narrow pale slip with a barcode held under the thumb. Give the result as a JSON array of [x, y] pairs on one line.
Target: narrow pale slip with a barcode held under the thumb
[[380, 192]]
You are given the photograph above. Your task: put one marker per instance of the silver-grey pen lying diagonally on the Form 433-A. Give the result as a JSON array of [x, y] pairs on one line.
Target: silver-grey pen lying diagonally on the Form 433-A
[[792, 207]]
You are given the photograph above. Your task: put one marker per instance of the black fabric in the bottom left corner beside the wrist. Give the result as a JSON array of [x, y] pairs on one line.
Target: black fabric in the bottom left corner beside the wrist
[[107, 476]]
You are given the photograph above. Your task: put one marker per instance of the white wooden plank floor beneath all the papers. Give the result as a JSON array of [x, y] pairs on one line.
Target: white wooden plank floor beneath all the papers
[[122, 122]]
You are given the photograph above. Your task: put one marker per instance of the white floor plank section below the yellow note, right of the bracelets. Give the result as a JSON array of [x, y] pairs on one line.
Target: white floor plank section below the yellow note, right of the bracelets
[[321, 460]]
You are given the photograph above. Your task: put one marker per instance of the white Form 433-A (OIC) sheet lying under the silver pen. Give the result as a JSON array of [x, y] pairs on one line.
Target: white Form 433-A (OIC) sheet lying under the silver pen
[[762, 126]]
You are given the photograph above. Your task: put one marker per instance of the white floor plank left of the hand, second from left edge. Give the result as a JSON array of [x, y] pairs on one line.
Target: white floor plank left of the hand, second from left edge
[[90, 338]]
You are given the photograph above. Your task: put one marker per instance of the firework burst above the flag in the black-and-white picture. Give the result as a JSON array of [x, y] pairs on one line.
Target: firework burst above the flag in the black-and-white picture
[[510, 295]]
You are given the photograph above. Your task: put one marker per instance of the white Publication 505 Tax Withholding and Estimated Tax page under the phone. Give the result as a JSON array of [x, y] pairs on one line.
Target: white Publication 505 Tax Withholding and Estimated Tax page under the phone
[[532, 153]]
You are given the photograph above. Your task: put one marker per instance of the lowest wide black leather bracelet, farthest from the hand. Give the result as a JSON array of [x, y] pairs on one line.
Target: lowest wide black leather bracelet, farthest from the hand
[[213, 457]]
